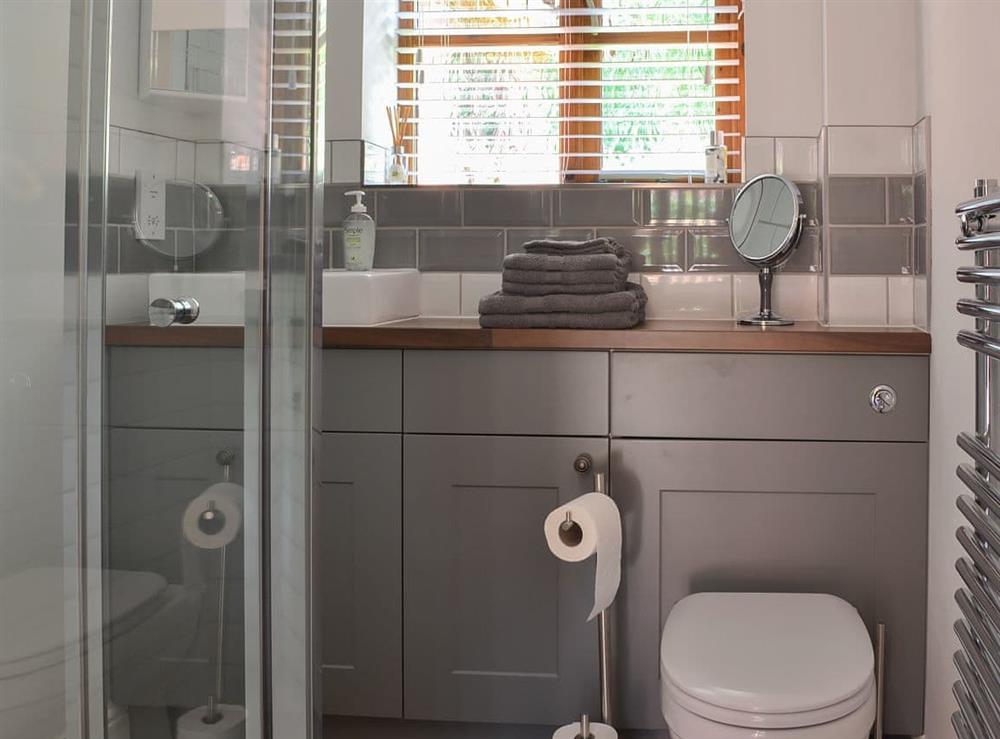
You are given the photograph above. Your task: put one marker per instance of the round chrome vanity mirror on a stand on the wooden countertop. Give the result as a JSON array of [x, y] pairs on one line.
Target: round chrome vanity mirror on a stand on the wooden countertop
[[765, 226]]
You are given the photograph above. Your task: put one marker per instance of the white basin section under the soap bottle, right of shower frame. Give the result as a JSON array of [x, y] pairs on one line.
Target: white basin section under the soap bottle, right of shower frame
[[367, 298]]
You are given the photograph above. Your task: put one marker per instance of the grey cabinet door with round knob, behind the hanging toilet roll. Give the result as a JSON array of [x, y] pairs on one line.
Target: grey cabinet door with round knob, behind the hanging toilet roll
[[495, 625]]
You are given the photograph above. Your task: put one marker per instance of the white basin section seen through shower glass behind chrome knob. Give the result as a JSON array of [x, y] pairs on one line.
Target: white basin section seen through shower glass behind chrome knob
[[221, 295]]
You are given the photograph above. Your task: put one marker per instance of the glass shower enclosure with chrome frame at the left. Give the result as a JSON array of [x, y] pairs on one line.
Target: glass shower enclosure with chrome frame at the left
[[155, 513]]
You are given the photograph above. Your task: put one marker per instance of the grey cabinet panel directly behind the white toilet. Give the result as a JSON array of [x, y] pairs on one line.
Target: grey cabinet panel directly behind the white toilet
[[843, 518]]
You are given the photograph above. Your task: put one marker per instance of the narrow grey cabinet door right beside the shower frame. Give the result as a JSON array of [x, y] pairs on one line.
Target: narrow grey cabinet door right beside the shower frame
[[360, 513]]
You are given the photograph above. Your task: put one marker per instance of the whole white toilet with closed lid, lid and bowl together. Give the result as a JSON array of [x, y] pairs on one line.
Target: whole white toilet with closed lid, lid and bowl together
[[766, 666]]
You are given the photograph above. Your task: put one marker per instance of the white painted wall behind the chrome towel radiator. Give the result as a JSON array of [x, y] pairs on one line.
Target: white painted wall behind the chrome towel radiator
[[958, 62]]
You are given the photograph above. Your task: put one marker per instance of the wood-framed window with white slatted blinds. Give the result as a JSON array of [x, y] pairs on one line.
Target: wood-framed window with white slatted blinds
[[550, 91]]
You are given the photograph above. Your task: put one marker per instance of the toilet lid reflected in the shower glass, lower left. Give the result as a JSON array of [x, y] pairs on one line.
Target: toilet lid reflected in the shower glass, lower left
[[33, 611]]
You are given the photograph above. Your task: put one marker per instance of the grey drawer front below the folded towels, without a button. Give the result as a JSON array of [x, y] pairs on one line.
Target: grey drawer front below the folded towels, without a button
[[506, 392]]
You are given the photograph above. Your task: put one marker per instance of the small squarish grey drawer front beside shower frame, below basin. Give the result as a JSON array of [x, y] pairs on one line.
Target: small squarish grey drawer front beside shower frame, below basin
[[362, 390]]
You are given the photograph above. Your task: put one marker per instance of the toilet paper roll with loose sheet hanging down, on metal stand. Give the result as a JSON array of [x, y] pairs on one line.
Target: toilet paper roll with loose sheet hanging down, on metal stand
[[596, 527]]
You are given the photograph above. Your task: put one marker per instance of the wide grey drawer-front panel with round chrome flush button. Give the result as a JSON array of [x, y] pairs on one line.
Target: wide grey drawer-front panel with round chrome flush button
[[734, 396]]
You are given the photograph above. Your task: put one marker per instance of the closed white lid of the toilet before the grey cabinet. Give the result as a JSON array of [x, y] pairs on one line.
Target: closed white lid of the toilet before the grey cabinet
[[767, 653]]
